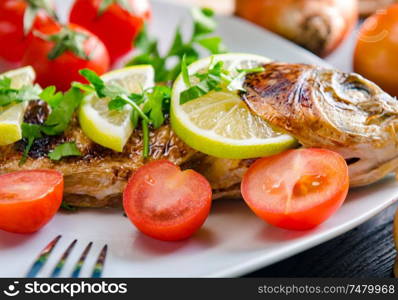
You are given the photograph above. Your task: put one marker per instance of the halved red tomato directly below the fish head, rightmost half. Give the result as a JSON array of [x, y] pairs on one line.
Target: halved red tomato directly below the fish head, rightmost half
[[297, 189]]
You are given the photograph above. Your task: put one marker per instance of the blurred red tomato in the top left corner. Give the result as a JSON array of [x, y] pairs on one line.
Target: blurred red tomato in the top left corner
[[12, 36]]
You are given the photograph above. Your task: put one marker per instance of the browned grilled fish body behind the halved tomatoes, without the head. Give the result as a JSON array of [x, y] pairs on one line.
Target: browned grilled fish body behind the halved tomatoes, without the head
[[98, 177]]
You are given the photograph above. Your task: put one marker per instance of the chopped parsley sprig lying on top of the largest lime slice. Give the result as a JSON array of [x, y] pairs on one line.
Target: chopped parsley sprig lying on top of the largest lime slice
[[216, 78]]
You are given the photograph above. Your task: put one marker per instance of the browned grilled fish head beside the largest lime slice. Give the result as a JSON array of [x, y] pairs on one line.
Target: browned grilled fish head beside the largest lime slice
[[330, 109]]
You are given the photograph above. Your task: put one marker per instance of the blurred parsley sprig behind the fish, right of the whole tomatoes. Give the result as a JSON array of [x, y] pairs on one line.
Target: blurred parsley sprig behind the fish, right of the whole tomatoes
[[168, 66]]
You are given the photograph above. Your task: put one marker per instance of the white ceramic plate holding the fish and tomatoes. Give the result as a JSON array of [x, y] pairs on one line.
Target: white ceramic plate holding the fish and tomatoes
[[232, 242]]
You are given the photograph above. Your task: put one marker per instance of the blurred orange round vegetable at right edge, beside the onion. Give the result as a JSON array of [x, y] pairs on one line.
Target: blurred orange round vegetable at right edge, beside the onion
[[376, 52]]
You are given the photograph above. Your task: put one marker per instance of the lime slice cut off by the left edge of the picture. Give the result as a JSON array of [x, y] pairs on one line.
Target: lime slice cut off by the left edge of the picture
[[11, 116]]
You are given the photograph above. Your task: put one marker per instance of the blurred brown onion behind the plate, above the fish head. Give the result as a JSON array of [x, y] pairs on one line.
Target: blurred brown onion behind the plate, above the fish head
[[318, 25]]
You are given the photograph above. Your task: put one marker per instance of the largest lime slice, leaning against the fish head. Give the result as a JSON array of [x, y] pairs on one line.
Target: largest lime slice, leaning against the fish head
[[219, 123]]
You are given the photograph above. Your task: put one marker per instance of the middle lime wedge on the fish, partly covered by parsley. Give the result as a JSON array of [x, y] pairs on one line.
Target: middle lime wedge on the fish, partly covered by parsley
[[112, 129]]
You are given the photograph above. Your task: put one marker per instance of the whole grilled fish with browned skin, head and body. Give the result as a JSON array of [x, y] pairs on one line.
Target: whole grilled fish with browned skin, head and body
[[321, 108]]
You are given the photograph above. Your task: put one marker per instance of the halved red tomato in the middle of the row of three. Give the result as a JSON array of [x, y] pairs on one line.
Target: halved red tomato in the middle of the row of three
[[166, 203]]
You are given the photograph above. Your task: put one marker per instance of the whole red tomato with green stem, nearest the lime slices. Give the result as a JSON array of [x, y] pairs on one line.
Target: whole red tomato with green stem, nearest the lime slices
[[63, 68]]
